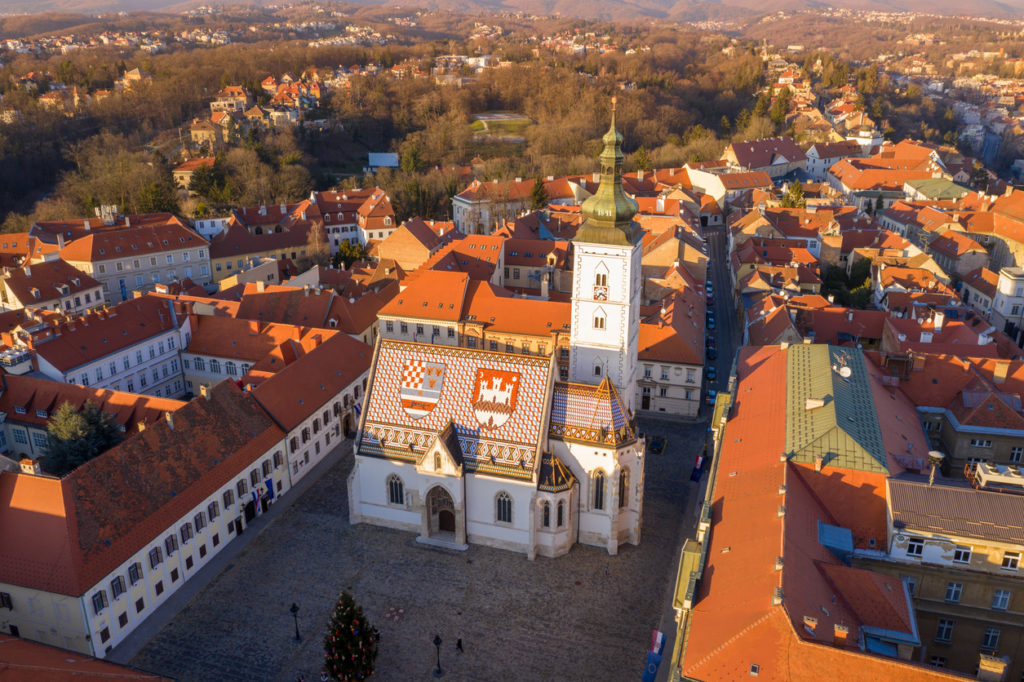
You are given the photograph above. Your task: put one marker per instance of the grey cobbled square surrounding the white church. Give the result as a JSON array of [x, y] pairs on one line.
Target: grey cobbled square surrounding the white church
[[583, 617]]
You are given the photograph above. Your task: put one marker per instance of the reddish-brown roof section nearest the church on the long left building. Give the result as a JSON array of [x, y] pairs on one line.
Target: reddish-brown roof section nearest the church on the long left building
[[306, 386]]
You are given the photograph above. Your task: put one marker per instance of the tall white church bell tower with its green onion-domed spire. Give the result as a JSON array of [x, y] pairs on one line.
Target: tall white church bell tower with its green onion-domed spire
[[607, 281]]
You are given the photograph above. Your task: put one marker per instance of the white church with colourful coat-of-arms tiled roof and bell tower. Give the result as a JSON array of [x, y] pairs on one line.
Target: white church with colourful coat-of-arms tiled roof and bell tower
[[465, 446]]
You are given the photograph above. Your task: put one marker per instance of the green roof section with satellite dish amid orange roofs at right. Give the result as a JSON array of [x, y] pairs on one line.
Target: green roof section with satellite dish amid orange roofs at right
[[830, 411]]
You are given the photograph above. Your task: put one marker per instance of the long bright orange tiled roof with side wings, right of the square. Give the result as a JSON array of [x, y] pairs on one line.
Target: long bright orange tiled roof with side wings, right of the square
[[734, 624]]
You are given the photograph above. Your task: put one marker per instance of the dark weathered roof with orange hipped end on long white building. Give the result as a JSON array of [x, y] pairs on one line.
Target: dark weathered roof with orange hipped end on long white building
[[65, 535]]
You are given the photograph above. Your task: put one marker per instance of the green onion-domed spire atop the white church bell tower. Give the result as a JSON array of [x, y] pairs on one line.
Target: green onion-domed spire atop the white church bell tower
[[610, 212]]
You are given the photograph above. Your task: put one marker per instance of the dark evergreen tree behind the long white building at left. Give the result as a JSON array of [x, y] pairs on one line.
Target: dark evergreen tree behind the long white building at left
[[75, 437]]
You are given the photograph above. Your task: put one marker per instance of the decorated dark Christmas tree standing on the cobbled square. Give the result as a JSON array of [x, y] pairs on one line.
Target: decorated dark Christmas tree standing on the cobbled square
[[351, 646]]
